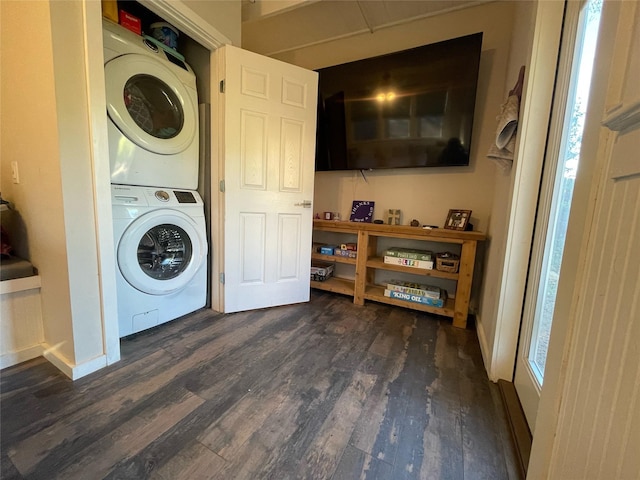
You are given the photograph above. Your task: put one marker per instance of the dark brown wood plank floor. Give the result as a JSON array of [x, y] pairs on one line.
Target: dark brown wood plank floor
[[324, 390]]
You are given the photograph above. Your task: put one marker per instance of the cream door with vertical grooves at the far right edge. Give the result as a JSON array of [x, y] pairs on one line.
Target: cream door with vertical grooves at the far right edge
[[588, 426]]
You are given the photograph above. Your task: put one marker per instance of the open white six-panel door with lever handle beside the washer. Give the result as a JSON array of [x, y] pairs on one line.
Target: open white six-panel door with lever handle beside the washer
[[269, 158]]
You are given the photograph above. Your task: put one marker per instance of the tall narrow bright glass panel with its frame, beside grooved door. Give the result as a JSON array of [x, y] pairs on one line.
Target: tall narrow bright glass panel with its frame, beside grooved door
[[579, 38]]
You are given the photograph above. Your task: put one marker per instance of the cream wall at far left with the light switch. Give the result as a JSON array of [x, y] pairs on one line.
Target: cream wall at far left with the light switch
[[29, 137]]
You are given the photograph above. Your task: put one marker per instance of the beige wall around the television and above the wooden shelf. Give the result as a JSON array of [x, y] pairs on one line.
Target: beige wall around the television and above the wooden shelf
[[424, 194]]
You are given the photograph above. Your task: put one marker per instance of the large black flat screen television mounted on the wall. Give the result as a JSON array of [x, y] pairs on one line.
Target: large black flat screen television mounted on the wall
[[412, 108]]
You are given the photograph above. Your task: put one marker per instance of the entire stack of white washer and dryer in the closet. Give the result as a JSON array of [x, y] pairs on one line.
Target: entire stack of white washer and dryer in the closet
[[158, 216]]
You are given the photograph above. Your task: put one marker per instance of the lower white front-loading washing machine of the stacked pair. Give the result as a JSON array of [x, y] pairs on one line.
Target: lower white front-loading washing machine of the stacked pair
[[161, 251]]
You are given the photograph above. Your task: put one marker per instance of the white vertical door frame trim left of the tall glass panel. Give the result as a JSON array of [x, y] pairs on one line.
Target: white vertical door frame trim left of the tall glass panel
[[535, 115]]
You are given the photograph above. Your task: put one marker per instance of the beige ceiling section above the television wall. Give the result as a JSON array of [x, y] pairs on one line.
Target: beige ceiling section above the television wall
[[270, 27]]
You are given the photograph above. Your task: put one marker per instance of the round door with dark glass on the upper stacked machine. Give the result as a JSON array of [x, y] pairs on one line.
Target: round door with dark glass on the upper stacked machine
[[150, 104]]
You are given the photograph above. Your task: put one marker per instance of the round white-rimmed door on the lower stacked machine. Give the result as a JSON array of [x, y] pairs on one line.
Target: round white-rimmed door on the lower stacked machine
[[161, 251]]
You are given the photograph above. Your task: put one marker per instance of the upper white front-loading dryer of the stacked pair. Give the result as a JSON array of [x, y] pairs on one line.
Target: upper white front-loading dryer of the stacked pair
[[152, 107]]
